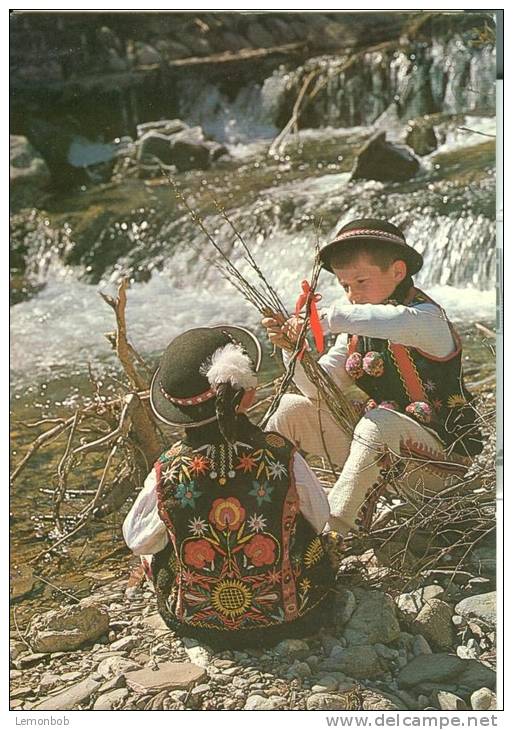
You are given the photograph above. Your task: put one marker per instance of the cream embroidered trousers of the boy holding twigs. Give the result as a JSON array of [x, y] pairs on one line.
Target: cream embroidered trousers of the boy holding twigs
[[386, 447]]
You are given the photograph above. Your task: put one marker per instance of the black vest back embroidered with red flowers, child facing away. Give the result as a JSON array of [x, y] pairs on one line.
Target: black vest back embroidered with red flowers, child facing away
[[243, 555]]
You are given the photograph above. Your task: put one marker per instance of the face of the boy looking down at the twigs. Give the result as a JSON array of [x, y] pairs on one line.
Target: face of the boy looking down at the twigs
[[365, 283]]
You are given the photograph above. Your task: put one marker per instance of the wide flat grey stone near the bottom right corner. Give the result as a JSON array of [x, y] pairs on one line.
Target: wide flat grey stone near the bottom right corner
[[443, 668]]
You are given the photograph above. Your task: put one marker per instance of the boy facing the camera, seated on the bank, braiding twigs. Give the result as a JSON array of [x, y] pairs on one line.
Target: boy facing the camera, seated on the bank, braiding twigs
[[399, 348]]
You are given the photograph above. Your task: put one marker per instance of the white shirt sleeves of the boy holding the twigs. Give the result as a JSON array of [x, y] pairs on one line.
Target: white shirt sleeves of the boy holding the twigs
[[423, 326]]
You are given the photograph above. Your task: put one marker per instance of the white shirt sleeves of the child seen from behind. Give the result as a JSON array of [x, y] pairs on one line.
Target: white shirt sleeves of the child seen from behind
[[146, 534]]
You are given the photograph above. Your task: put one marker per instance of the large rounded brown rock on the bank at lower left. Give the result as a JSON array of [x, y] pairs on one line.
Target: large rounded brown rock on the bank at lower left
[[68, 628]]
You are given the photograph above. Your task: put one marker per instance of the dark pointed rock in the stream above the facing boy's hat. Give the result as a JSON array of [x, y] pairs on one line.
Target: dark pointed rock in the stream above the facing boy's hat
[[381, 160]]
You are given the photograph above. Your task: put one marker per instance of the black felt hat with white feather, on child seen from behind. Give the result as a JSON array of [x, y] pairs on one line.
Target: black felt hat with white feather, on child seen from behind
[[180, 392]]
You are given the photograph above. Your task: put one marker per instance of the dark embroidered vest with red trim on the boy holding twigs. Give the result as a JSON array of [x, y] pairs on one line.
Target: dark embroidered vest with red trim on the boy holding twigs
[[428, 389]]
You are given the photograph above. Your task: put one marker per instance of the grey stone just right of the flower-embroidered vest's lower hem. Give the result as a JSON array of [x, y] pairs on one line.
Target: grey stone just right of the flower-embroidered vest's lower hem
[[373, 621]]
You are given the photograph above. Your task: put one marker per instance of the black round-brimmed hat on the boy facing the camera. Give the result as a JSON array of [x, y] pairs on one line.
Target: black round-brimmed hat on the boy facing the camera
[[371, 230]]
